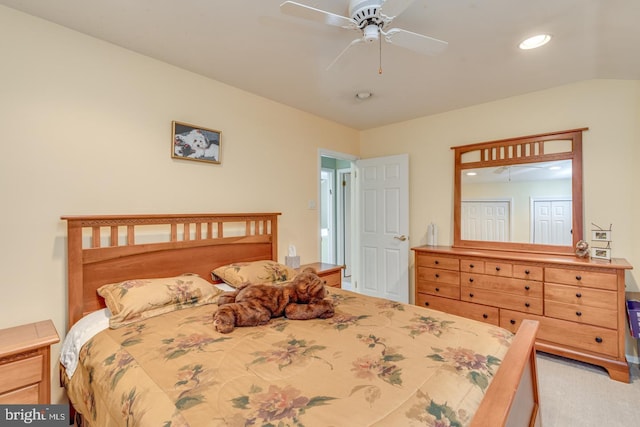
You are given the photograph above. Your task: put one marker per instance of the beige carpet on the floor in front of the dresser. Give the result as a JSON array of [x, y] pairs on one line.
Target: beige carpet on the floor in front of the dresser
[[582, 395]]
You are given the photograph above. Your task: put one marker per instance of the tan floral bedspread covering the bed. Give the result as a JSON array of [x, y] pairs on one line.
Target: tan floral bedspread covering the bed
[[375, 363]]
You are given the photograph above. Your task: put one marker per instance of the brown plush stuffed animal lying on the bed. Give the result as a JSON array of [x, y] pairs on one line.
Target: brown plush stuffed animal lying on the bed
[[256, 304]]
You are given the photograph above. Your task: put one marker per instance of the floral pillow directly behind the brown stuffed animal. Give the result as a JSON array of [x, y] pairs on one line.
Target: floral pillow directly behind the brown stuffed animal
[[264, 271]]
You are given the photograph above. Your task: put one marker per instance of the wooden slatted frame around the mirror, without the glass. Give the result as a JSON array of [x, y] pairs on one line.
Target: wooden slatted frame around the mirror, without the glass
[[521, 150]]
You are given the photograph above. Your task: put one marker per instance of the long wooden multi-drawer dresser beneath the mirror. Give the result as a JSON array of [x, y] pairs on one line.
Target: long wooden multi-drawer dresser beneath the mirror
[[580, 303]]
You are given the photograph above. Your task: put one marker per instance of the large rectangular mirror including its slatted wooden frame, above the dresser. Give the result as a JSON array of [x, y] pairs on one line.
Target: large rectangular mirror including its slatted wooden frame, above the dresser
[[520, 194]]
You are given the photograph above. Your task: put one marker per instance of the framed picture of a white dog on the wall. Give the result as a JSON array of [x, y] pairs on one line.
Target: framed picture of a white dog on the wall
[[191, 142]]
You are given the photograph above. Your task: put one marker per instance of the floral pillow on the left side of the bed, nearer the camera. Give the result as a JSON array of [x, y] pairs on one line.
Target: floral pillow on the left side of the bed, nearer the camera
[[134, 300]]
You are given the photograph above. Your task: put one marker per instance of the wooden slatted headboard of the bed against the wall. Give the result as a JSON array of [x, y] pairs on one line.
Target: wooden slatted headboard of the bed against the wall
[[105, 249]]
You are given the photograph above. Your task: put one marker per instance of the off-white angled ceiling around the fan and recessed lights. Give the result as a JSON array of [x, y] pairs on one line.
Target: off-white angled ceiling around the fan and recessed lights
[[252, 45]]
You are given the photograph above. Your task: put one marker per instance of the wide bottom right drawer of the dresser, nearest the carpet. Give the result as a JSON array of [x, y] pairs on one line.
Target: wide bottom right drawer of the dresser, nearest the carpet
[[565, 333]]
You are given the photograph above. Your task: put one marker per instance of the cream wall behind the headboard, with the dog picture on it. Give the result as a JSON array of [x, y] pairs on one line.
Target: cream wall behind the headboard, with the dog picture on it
[[87, 130]]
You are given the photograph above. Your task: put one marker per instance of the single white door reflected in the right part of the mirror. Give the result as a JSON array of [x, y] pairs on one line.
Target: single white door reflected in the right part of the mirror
[[552, 221]]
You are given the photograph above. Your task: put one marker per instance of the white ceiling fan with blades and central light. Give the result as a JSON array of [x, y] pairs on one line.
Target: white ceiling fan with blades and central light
[[371, 18]]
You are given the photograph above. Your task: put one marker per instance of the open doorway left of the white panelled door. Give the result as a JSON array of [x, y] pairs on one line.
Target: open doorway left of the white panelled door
[[335, 212]]
